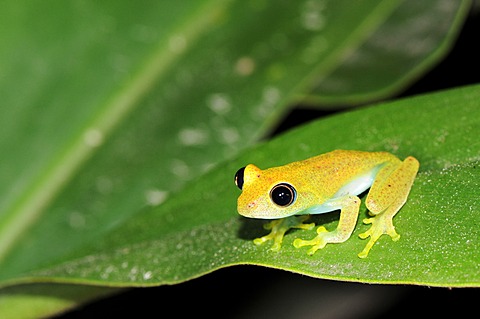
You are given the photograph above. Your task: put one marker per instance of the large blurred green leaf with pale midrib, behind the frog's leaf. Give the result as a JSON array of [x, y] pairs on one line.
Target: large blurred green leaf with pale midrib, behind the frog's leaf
[[107, 110]]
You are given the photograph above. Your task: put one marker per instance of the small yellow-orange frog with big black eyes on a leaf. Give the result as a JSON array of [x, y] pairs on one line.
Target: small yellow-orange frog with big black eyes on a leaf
[[289, 195]]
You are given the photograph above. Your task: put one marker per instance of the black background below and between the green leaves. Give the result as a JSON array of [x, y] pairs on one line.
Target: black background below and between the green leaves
[[258, 292]]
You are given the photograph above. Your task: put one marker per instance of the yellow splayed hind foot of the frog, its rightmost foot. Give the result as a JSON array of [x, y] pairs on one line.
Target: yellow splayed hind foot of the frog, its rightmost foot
[[381, 224]]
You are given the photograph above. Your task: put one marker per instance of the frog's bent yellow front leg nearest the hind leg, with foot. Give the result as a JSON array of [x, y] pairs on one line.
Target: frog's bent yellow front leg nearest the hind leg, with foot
[[350, 206]]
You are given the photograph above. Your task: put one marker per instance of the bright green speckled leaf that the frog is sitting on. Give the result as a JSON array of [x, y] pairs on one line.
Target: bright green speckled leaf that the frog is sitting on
[[198, 230]]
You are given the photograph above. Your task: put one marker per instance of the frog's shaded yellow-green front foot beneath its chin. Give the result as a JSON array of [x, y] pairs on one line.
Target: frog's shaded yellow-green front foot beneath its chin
[[279, 227]]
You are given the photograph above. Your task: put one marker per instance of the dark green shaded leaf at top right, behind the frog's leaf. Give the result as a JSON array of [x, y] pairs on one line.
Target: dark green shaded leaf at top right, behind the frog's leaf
[[368, 72]]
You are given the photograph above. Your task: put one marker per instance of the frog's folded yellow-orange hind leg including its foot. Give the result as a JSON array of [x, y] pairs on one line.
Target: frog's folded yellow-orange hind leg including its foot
[[387, 195]]
